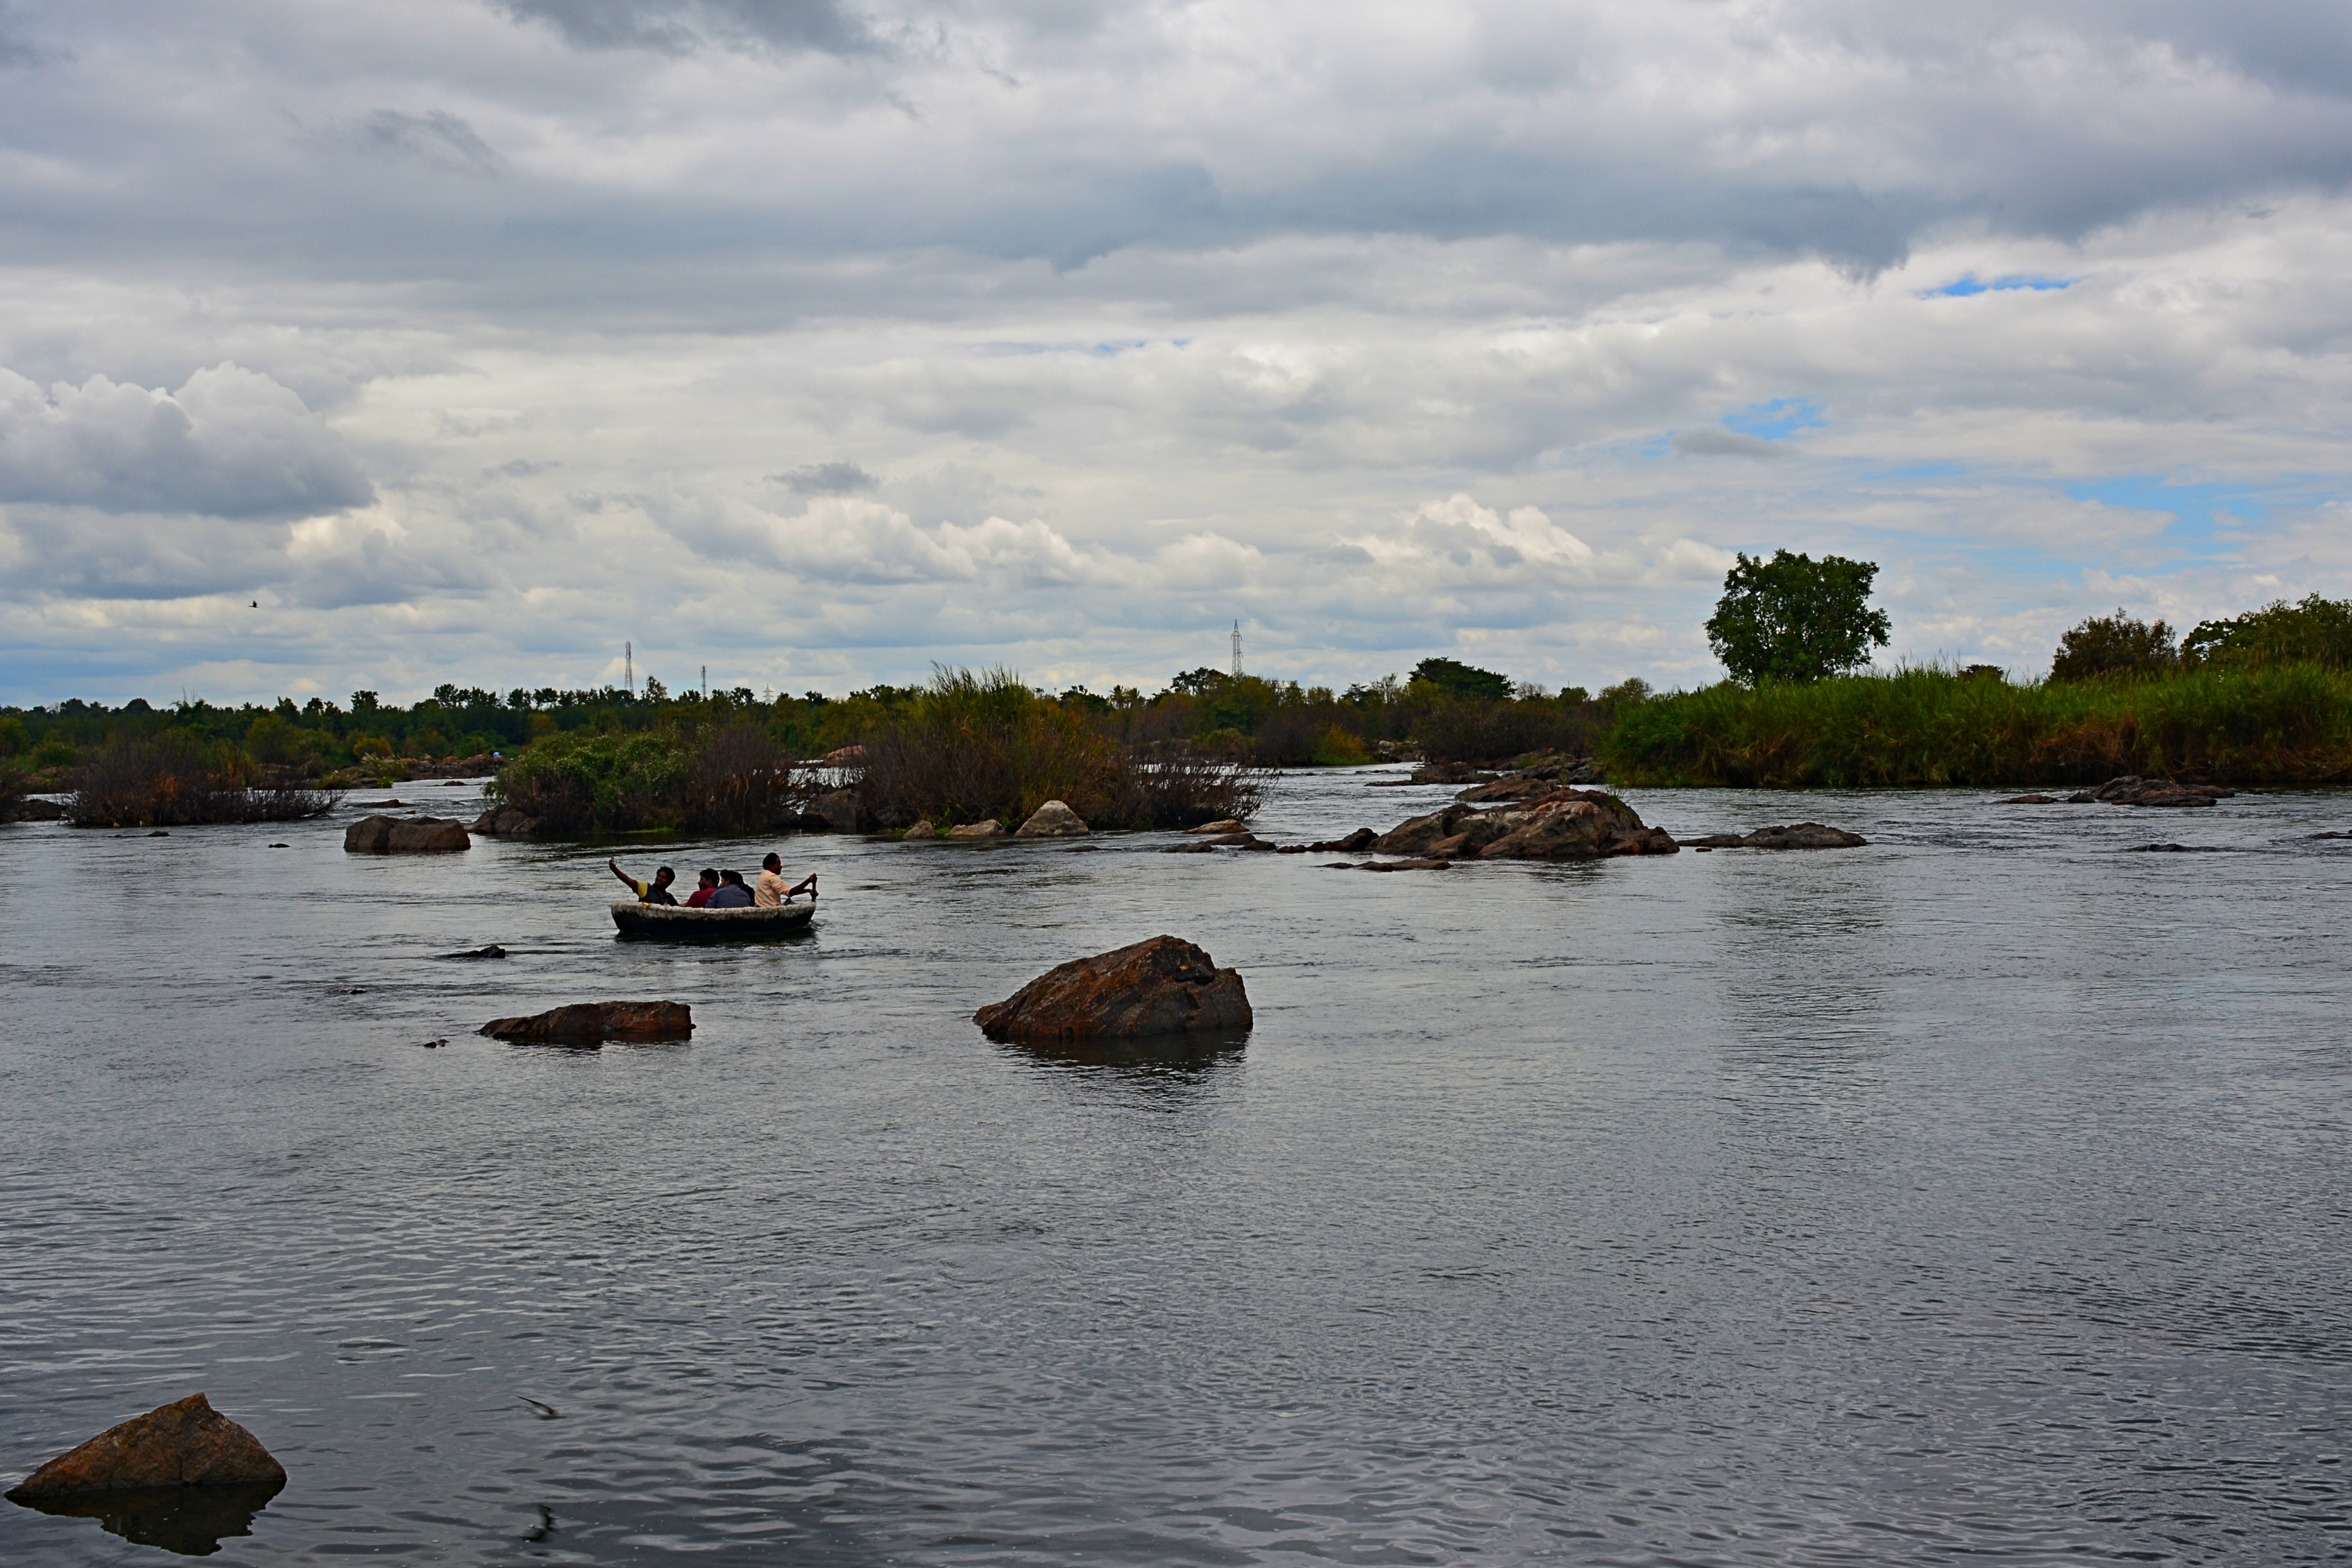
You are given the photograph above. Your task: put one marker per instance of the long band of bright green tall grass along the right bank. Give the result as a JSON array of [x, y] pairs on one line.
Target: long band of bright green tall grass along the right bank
[[1937, 728]]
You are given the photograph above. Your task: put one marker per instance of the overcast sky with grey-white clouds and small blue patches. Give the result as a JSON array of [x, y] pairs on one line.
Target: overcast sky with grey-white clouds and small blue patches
[[813, 342]]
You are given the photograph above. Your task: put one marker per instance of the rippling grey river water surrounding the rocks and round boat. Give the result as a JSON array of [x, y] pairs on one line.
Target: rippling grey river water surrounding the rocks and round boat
[[1979, 1195]]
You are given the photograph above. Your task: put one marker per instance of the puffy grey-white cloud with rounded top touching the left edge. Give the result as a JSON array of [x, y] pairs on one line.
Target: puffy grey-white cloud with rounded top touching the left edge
[[229, 443]]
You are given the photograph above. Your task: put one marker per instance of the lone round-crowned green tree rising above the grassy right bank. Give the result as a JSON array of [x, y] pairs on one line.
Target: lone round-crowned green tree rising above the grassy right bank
[[1796, 619]]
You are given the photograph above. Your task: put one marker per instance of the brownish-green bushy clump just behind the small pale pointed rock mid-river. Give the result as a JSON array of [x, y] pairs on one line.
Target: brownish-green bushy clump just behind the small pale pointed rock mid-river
[[984, 746]]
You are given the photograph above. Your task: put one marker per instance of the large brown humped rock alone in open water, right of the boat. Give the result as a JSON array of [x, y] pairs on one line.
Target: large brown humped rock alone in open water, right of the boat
[[1163, 986]]
